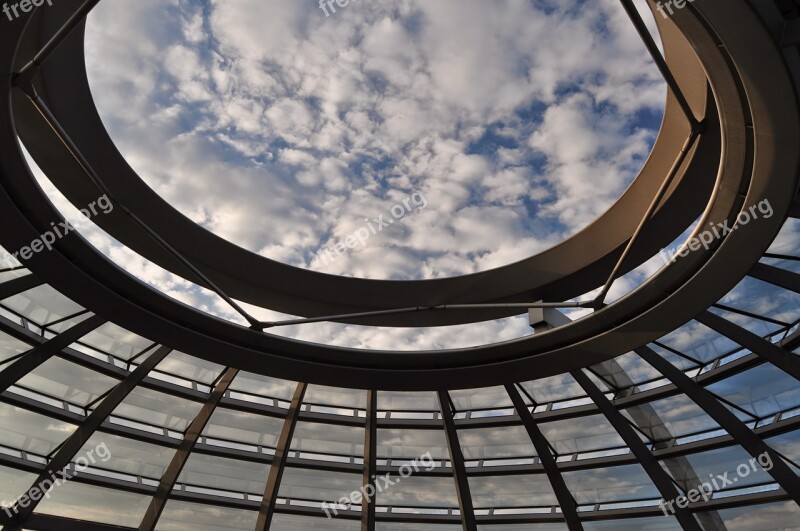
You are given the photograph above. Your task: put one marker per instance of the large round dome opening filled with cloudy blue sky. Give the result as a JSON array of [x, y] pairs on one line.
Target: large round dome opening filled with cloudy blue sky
[[391, 140]]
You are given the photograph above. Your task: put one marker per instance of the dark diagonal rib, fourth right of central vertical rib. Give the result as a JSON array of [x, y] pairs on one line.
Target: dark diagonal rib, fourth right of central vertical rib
[[738, 430]]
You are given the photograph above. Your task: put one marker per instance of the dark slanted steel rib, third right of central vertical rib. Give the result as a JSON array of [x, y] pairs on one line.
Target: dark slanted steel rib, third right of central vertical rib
[[650, 464]]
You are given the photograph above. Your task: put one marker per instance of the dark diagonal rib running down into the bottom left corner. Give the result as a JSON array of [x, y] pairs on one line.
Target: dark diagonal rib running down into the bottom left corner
[[75, 442]]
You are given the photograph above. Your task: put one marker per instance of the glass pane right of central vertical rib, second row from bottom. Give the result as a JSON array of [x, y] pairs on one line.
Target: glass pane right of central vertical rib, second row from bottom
[[419, 491]]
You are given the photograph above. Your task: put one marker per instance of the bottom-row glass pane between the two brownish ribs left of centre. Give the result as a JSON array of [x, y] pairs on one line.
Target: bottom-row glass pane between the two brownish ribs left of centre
[[180, 516]]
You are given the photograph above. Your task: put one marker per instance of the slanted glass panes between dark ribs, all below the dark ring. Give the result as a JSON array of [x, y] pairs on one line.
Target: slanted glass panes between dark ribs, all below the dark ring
[[225, 475]]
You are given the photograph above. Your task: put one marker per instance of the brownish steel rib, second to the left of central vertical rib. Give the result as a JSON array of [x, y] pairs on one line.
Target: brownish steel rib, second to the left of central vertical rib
[[175, 467]]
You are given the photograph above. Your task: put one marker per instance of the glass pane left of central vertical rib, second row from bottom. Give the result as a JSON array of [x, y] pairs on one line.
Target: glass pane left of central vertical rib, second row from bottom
[[317, 485]]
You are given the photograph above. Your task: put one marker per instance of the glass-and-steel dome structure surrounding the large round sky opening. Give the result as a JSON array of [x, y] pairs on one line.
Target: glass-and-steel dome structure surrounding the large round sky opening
[[648, 378]]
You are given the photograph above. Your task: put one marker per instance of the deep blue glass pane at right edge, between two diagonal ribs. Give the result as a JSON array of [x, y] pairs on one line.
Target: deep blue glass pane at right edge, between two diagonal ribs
[[763, 390]]
